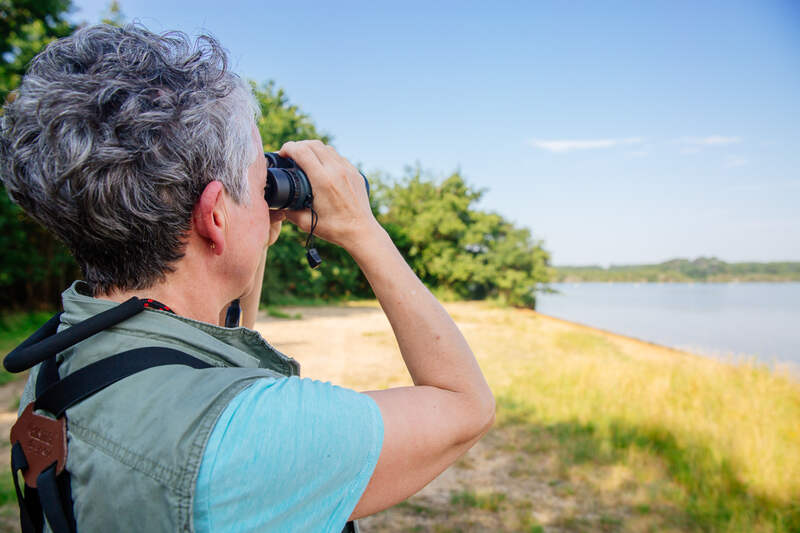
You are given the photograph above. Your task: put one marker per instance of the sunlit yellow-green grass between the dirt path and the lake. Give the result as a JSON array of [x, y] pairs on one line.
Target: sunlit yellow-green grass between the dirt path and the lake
[[724, 439]]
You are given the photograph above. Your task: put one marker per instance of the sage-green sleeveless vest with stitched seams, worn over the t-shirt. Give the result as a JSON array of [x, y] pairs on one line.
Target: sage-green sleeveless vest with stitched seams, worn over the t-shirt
[[135, 448]]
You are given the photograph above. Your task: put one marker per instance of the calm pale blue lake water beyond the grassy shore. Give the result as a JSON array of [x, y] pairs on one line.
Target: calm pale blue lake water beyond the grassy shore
[[718, 319]]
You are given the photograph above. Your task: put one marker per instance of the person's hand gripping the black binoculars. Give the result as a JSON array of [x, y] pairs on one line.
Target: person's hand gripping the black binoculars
[[340, 197]]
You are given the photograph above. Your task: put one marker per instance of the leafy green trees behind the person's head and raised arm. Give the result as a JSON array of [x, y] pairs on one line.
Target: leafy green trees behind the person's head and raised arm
[[459, 251]]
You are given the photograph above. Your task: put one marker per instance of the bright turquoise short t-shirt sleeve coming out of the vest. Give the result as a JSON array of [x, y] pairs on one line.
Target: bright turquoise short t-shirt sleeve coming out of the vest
[[288, 454]]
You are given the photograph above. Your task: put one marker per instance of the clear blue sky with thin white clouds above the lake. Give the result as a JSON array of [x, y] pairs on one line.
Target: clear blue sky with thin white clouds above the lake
[[617, 132]]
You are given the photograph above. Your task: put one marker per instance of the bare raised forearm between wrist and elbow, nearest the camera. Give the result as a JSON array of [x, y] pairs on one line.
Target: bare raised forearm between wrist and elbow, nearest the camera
[[432, 346]]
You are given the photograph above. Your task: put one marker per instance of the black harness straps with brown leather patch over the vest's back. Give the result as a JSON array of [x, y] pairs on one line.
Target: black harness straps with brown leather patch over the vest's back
[[50, 496]]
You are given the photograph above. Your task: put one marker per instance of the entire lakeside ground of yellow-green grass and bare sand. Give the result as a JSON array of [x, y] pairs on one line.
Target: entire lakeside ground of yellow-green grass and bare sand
[[595, 432]]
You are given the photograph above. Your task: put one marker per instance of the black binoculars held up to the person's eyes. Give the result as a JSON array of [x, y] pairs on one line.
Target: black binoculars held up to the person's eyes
[[287, 185]]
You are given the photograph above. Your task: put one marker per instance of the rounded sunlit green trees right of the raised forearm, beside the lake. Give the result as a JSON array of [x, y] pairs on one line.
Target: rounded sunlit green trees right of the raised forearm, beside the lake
[[457, 248]]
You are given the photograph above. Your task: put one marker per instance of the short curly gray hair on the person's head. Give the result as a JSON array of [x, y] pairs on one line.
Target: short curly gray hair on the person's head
[[112, 137]]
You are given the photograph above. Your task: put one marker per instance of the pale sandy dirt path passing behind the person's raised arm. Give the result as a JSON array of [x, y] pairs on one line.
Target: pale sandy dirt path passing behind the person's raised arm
[[355, 347]]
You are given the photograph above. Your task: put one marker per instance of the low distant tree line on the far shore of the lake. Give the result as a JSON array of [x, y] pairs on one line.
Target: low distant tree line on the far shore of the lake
[[705, 269]]
